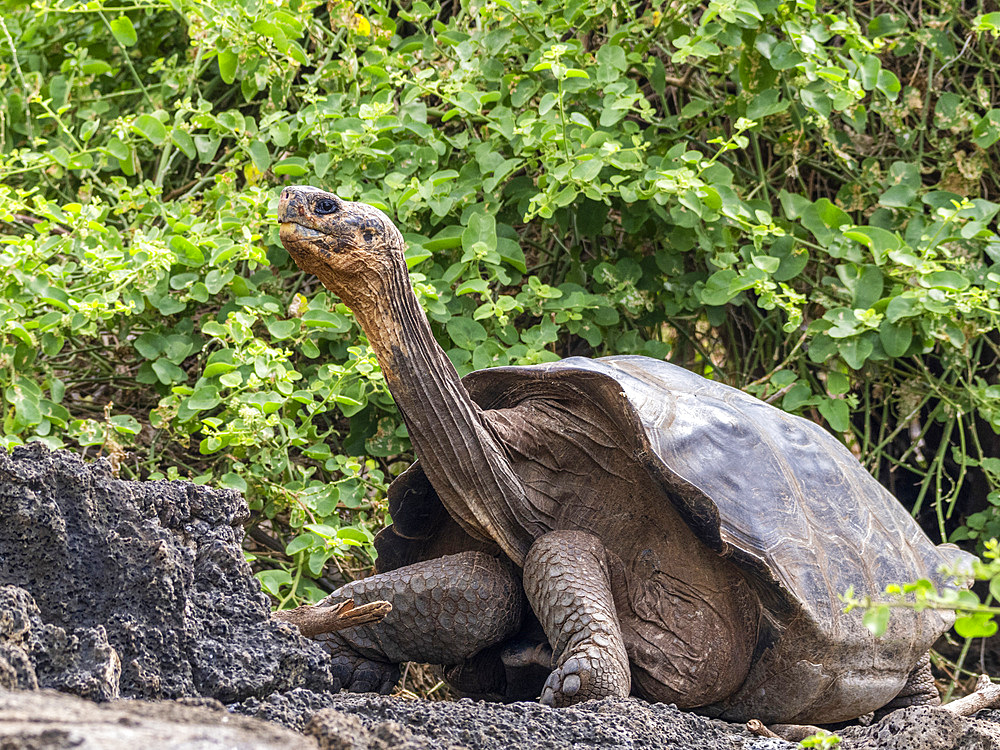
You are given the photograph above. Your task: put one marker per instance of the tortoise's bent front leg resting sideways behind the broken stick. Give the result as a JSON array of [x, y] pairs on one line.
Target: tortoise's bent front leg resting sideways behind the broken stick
[[444, 611]]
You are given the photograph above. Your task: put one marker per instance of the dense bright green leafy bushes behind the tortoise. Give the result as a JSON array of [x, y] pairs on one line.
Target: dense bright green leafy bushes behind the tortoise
[[767, 192]]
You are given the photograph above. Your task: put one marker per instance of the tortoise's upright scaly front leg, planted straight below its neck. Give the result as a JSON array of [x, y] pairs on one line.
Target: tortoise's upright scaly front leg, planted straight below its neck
[[567, 581]]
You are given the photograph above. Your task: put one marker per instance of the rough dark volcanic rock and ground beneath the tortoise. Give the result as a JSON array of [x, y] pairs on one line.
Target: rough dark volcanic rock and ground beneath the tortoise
[[128, 615]]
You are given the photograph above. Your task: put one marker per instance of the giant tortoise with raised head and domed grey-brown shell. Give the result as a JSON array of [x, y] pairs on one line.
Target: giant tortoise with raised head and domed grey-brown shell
[[675, 538]]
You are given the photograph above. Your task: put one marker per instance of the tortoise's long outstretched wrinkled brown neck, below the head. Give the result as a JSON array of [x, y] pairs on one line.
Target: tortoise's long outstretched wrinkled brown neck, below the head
[[461, 455]]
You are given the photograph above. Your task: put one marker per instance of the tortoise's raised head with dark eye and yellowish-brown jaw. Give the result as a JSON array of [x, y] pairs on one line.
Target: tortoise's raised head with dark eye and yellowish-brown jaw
[[352, 247]]
